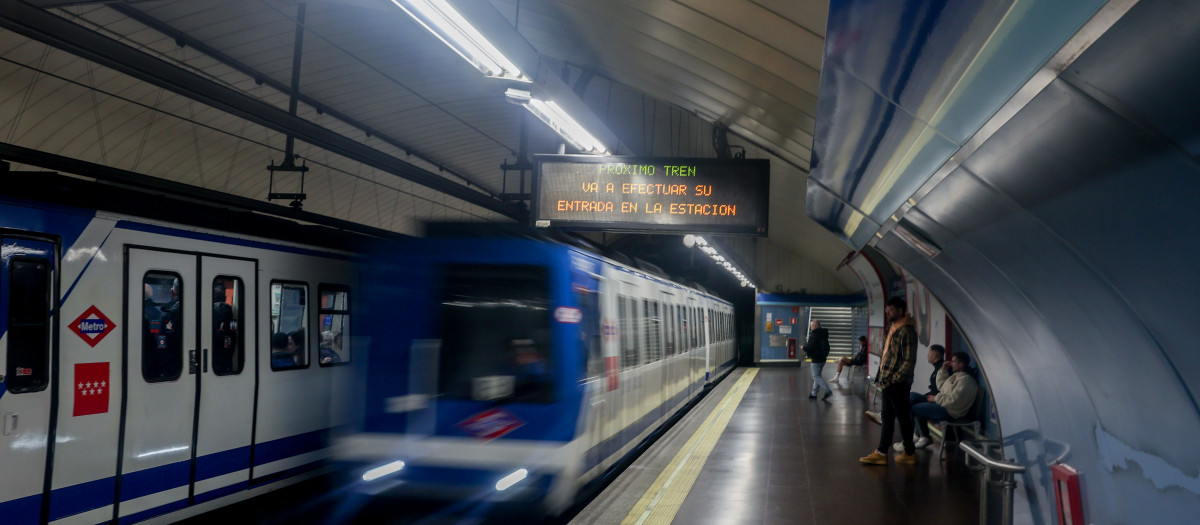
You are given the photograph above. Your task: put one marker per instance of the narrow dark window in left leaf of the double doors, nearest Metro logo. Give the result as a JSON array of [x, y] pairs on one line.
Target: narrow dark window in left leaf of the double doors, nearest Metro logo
[[163, 327]]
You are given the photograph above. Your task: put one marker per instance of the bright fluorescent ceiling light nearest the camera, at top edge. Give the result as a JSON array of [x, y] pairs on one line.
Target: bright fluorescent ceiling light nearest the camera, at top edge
[[440, 19]]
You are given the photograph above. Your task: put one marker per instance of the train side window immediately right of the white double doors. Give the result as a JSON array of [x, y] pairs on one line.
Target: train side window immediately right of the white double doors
[[290, 324]]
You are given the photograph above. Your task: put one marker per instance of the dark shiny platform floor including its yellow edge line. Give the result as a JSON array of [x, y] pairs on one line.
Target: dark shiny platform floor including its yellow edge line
[[757, 450]]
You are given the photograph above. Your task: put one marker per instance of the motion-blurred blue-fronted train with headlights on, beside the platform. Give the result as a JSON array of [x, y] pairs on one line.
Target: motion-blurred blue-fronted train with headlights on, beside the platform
[[520, 371]]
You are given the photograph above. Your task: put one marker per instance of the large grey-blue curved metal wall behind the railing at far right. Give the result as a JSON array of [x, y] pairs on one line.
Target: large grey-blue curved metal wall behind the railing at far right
[[1069, 242]]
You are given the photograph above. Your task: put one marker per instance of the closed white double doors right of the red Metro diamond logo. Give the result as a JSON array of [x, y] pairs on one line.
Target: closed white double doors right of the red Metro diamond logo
[[169, 357]]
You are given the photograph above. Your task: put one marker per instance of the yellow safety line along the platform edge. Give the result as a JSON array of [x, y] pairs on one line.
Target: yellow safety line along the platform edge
[[663, 500]]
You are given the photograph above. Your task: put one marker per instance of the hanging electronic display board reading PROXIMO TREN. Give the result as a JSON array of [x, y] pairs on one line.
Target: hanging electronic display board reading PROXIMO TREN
[[691, 196]]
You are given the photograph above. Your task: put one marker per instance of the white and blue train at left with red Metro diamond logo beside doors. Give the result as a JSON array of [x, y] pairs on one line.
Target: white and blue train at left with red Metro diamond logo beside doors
[[153, 369]]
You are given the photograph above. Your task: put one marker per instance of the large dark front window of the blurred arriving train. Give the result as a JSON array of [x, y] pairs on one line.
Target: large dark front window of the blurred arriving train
[[496, 334]]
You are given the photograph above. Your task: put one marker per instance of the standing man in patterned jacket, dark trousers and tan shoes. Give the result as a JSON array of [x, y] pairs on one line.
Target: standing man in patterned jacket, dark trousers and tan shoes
[[896, 379]]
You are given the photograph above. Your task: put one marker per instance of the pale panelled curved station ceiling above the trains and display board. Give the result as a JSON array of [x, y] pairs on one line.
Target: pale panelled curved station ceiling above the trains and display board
[[659, 74]]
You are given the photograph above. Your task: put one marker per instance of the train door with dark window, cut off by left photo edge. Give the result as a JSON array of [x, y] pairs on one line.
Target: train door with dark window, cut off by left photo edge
[[27, 316]]
